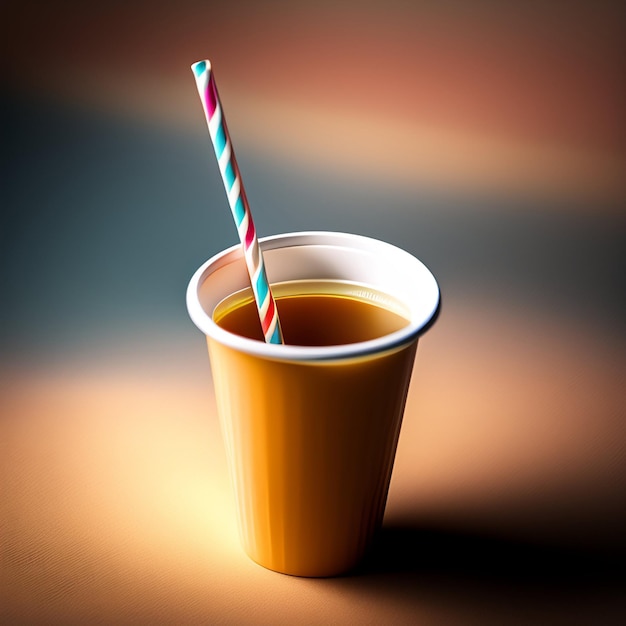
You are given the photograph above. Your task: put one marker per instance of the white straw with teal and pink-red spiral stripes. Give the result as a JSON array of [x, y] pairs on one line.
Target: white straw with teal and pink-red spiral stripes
[[225, 154]]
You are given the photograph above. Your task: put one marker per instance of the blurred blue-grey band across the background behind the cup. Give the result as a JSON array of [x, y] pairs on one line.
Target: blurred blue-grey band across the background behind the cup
[[105, 219]]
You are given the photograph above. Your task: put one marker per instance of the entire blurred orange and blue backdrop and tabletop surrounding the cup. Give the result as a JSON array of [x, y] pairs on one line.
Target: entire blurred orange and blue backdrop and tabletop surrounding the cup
[[487, 138]]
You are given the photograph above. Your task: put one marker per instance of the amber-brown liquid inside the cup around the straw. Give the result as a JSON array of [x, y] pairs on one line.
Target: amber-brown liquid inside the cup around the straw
[[317, 313]]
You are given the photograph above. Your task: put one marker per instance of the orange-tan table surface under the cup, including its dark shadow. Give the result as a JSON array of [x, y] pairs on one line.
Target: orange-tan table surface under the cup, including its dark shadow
[[504, 504]]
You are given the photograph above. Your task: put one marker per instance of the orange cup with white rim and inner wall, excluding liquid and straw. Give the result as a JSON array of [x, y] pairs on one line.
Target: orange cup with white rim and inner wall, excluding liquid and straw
[[311, 431]]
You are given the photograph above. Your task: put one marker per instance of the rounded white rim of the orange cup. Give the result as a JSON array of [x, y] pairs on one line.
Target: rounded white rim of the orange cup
[[393, 341]]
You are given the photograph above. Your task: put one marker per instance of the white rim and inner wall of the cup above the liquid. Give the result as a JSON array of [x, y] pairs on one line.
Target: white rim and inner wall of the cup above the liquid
[[364, 261]]
